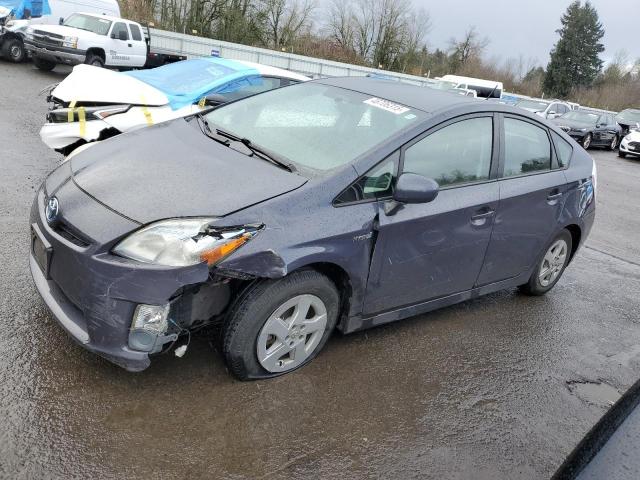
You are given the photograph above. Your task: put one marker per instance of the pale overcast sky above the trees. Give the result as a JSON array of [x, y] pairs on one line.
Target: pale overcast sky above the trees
[[528, 26]]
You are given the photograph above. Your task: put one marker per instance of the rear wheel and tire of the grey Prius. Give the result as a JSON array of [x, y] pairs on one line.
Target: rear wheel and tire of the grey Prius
[[539, 284]]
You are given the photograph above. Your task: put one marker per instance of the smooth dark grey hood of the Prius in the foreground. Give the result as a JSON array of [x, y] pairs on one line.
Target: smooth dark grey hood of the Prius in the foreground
[[173, 170]]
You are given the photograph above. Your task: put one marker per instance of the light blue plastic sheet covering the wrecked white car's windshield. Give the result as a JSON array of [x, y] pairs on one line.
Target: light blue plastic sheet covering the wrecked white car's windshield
[[188, 81]]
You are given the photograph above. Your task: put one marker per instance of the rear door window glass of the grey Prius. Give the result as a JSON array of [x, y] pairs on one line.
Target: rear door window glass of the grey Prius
[[526, 148]]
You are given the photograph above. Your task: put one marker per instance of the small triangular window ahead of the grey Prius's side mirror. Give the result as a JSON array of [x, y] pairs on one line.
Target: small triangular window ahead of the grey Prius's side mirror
[[376, 183]]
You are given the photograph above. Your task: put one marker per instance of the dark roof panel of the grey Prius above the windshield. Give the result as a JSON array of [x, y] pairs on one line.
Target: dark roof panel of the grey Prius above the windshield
[[426, 99]]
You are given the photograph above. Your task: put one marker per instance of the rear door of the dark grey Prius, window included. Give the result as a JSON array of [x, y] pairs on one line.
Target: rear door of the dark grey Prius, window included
[[532, 190]]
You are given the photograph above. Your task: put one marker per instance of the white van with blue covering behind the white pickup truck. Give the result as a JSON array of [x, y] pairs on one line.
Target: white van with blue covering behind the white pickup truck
[[16, 16]]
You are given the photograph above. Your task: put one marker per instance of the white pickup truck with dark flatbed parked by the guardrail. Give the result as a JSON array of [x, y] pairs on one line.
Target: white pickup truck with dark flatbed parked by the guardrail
[[97, 40]]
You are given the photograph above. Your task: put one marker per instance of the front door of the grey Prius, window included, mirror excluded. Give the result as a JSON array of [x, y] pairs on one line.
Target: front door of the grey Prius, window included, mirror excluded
[[426, 251]]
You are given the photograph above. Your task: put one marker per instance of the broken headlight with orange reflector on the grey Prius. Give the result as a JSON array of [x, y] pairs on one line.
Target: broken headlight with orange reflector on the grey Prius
[[183, 242]]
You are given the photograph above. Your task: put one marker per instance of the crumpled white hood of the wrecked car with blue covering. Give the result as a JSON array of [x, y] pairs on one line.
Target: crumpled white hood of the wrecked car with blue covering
[[94, 84]]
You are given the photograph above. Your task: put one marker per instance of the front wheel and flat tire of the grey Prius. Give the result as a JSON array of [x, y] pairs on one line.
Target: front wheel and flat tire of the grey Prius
[[262, 336]]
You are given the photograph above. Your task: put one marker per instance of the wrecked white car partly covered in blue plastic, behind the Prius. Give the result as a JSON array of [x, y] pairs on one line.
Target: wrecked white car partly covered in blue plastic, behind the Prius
[[94, 103]]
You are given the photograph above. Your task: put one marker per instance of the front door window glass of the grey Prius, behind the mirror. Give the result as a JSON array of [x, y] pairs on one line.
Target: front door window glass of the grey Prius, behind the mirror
[[456, 154]]
